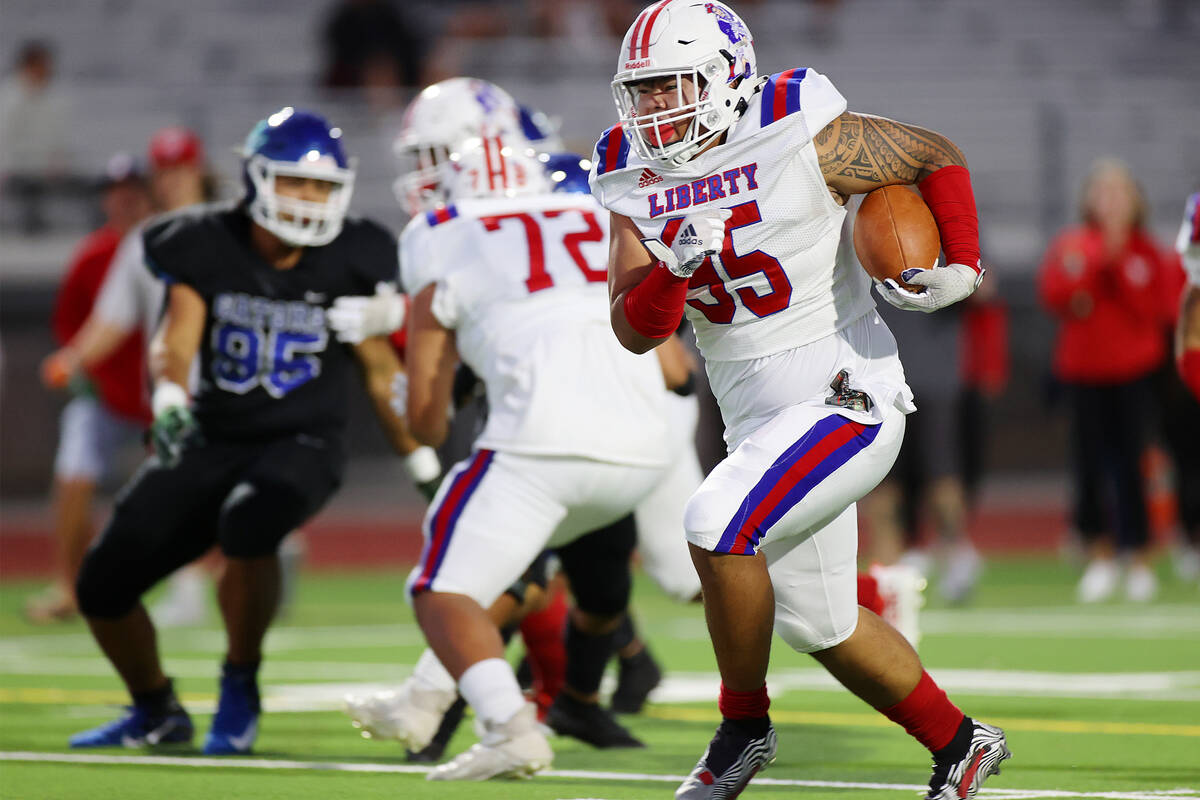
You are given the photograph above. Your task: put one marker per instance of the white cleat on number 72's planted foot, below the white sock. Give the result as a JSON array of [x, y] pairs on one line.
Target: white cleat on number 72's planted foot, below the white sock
[[513, 749]]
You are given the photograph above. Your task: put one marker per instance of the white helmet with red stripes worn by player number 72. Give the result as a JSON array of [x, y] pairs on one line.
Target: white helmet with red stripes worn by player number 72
[[494, 166]]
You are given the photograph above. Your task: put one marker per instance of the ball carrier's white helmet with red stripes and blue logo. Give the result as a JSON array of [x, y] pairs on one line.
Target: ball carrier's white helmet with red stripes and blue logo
[[703, 44]]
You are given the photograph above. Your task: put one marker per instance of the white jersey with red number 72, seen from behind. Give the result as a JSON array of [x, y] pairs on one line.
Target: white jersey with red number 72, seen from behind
[[524, 285]]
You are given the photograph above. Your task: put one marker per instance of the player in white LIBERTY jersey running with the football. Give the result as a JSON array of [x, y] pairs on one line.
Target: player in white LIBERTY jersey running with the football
[[727, 191]]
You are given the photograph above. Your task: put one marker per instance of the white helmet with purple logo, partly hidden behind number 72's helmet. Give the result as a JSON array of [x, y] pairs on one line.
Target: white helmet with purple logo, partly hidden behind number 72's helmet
[[439, 122]]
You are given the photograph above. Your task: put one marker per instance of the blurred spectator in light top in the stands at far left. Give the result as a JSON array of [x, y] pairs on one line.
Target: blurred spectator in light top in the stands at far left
[[34, 129]]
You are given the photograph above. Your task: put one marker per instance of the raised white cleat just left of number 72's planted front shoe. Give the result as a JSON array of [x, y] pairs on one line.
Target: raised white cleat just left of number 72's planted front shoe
[[410, 715]]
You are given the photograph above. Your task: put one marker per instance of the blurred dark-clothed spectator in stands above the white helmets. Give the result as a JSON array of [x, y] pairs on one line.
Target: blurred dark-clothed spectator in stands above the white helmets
[[373, 43]]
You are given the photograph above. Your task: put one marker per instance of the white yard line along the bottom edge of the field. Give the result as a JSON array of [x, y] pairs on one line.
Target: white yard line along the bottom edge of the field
[[581, 775]]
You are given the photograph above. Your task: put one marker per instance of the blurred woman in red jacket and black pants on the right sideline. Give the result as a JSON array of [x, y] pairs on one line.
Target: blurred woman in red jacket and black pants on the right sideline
[[1103, 281]]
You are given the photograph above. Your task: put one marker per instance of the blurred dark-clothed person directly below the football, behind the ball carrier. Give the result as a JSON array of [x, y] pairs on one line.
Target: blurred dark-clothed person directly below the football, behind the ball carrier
[[927, 478]]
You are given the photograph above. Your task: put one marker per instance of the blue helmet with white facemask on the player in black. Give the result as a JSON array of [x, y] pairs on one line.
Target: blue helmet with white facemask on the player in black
[[298, 145]]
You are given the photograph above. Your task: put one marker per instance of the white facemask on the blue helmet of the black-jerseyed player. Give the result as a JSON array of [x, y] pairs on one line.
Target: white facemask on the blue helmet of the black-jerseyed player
[[301, 224]]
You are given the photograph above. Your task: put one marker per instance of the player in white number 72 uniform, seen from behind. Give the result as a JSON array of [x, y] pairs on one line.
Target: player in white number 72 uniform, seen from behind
[[511, 280]]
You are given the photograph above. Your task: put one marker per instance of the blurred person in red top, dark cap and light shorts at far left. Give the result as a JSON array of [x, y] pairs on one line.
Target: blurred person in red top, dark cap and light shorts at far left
[[109, 405]]
